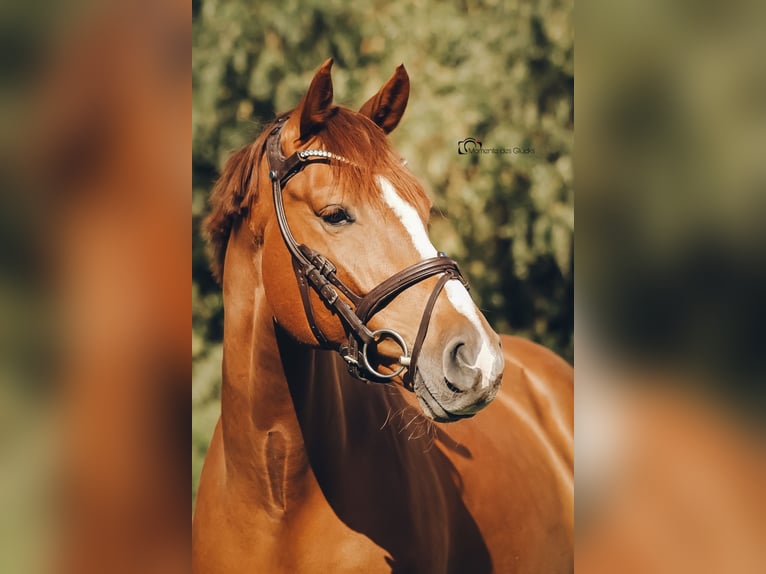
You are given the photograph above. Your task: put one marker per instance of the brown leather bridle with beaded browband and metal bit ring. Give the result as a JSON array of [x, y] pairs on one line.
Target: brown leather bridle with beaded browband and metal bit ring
[[314, 271]]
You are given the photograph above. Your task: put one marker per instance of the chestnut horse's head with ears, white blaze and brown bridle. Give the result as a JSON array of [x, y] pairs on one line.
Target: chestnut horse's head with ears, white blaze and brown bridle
[[353, 227]]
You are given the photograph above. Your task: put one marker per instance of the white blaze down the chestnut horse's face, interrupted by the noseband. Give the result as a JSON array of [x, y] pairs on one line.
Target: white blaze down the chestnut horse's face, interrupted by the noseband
[[456, 292]]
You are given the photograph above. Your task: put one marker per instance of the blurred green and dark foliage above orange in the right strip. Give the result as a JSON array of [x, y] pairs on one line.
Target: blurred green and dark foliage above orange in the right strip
[[671, 265]]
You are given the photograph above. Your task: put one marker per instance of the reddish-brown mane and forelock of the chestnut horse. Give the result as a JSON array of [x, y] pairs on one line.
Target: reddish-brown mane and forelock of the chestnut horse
[[348, 134]]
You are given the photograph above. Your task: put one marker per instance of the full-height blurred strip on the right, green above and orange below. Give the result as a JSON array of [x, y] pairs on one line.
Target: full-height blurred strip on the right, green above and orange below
[[671, 275]]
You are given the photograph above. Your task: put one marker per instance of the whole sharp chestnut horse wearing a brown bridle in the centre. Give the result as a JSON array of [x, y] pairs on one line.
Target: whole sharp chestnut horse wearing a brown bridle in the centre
[[311, 470]]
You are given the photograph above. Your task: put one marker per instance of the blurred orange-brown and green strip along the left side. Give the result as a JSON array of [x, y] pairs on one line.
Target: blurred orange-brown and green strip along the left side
[[94, 368]]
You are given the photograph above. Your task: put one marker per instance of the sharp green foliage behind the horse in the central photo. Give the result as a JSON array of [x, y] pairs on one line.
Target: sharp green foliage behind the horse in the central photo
[[501, 72]]
